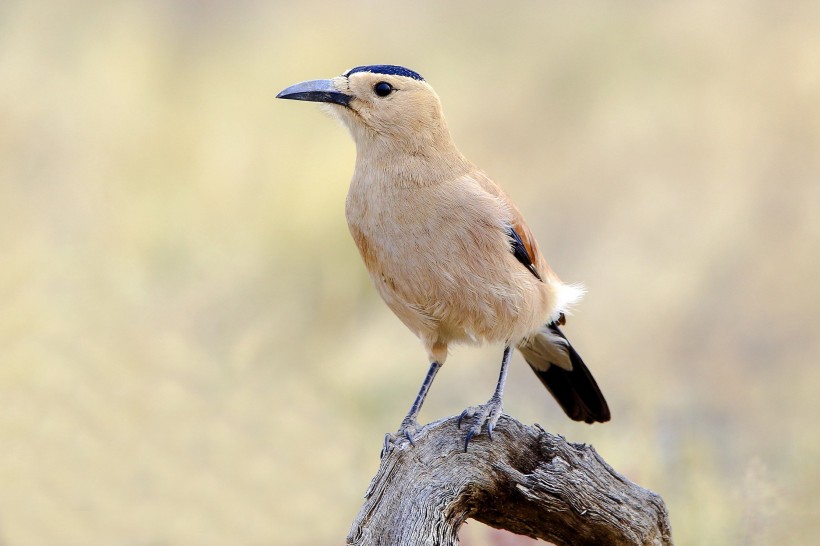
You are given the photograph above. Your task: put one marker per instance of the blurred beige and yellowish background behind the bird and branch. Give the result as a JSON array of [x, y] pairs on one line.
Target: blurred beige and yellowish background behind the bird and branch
[[191, 351]]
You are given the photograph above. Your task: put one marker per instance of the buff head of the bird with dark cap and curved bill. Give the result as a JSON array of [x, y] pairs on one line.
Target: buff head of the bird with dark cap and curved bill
[[383, 105]]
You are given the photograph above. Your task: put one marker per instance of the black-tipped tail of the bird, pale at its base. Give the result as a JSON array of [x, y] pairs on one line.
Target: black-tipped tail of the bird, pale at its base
[[565, 375]]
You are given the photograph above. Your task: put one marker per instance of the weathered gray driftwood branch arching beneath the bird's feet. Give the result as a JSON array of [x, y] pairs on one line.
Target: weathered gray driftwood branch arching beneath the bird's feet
[[525, 480]]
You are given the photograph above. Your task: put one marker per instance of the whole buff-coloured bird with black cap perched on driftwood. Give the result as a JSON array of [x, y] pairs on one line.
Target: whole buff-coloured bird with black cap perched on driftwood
[[446, 248]]
